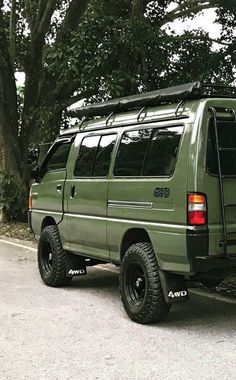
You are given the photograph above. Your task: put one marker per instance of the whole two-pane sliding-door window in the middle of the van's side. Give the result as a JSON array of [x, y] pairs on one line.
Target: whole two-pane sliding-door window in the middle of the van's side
[[94, 156]]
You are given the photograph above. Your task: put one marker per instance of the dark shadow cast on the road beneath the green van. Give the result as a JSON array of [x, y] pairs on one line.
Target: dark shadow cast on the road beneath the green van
[[200, 312]]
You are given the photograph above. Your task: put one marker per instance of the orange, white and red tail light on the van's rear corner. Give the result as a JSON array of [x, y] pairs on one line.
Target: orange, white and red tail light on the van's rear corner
[[197, 209]]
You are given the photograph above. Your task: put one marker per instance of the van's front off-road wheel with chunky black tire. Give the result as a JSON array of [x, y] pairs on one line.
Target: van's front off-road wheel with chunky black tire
[[52, 258]]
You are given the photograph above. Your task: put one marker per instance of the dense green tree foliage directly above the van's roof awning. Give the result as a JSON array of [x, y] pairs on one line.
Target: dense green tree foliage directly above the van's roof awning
[[115, 54]]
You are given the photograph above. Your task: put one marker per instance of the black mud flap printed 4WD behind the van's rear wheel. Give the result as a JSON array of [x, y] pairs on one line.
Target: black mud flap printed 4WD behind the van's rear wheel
[[174, 287]]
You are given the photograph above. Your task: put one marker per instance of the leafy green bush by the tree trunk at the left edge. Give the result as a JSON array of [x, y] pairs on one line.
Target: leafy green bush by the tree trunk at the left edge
[[13, 197]]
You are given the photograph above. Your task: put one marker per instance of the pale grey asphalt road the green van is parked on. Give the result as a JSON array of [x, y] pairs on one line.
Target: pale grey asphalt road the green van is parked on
[[82, 332]]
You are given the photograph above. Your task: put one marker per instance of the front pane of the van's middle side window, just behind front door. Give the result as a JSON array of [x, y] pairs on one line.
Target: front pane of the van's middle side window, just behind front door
[[85, 159]]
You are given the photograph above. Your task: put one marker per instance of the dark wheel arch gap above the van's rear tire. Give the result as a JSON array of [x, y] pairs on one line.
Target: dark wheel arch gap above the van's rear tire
[[132, 236]]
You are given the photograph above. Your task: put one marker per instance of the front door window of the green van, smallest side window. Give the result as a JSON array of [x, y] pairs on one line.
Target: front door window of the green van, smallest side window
[[58, 157]]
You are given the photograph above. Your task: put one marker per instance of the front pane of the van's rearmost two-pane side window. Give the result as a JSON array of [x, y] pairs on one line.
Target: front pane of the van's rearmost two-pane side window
[[131, 153]]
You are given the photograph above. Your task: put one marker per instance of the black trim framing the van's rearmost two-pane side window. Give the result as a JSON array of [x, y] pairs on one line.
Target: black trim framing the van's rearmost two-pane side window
[[147, 149]]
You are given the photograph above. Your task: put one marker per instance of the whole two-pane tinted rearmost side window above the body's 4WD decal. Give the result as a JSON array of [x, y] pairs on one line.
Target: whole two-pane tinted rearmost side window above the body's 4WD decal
[[148, 152]]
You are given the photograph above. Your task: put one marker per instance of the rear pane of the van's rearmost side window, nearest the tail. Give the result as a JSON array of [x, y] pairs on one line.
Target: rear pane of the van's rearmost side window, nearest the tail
[[162, 152]]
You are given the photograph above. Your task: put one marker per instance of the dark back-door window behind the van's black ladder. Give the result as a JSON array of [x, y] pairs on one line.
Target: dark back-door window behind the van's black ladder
[[227, 142]]
